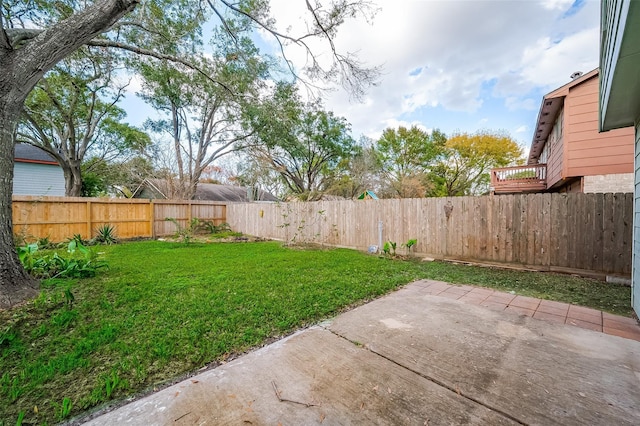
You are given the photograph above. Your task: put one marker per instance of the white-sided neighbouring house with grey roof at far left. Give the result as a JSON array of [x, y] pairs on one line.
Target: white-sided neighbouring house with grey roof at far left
[[36, 173]]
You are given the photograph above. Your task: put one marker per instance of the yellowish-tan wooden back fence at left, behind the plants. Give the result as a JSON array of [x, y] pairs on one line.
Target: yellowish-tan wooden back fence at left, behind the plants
[[59, 218]]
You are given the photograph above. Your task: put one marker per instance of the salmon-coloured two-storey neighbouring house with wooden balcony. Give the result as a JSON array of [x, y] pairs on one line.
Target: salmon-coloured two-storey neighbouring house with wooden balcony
[[568, 153]]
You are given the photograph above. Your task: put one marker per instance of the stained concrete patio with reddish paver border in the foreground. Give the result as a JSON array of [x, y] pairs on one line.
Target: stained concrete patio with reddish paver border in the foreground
[[419, 358]]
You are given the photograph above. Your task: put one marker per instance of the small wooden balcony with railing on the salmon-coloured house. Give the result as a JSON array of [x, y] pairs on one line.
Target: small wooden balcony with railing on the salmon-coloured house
[[519, 179]]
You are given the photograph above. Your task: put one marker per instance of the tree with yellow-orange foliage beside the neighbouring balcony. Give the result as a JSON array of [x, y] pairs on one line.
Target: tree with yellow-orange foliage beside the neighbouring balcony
[[464, 170]]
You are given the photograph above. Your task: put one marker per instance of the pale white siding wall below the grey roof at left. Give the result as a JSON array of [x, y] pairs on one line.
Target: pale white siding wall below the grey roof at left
[[37, 179]]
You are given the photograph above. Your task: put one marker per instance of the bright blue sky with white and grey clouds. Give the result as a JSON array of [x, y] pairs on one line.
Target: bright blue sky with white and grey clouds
[[455, 65]]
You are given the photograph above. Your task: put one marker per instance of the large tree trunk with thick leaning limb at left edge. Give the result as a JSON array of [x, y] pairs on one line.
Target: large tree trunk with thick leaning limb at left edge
[[21, 69]]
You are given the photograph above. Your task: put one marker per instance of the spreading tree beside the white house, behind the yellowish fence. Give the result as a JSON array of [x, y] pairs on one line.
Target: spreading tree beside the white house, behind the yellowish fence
[[72, 113]]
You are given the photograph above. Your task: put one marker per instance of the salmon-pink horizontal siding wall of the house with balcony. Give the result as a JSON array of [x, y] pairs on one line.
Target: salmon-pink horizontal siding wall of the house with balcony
[[587, 151]]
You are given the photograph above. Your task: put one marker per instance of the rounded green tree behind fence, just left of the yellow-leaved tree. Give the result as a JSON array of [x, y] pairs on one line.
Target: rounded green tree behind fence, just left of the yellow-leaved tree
[[406, 156]]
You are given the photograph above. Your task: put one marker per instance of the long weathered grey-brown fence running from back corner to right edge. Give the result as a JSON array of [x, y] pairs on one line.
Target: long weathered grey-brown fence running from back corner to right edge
[[558, 232]]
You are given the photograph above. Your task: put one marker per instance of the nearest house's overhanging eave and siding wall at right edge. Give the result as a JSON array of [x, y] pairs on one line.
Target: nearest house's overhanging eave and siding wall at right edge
[[620, 98]]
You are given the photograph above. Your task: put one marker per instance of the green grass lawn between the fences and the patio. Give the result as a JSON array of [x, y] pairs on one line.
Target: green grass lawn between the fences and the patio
[[163, 310]]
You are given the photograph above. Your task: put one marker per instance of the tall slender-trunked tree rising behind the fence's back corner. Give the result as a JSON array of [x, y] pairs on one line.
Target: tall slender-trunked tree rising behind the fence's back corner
[[202, 115]]
